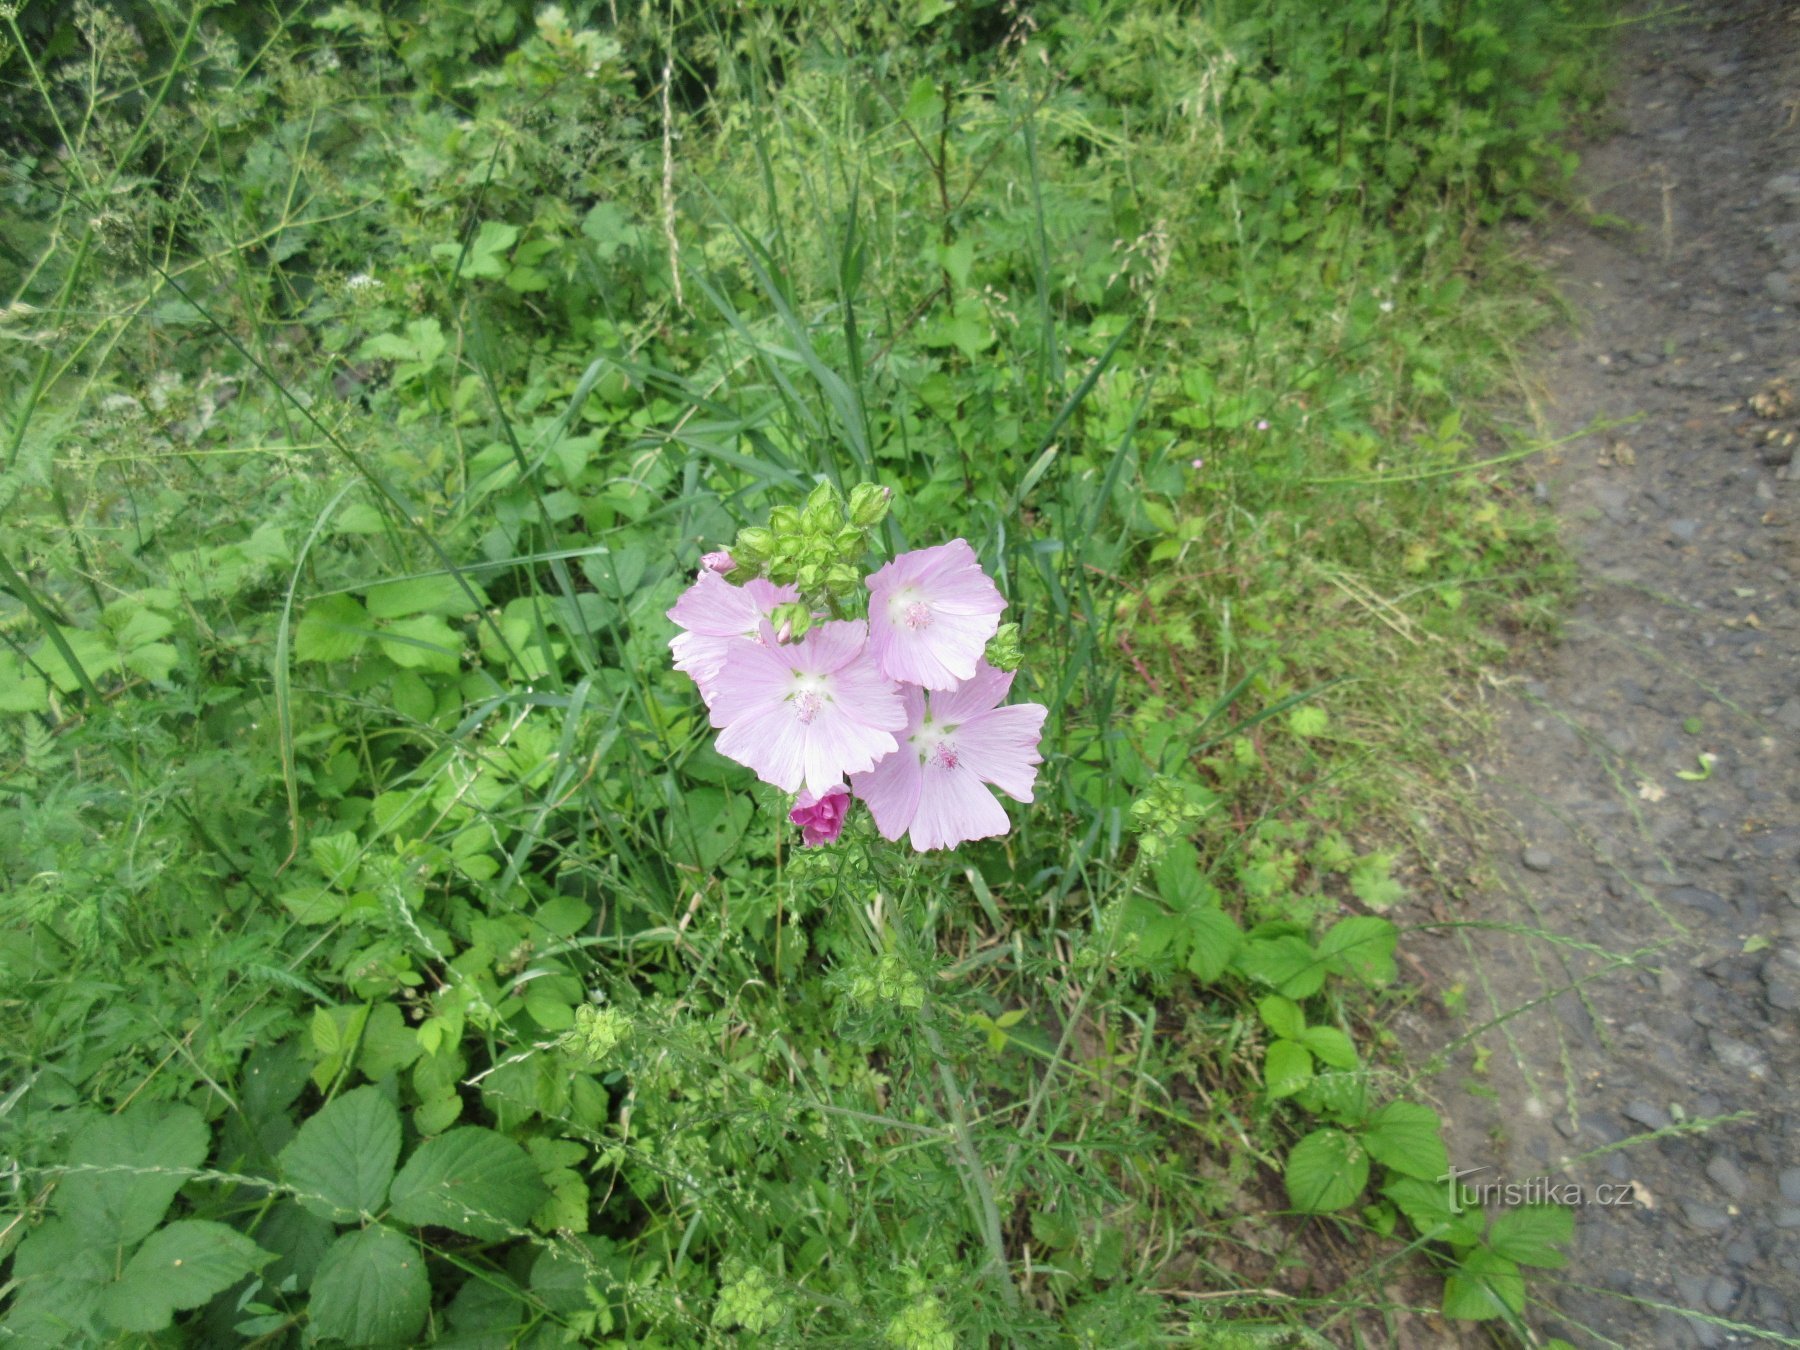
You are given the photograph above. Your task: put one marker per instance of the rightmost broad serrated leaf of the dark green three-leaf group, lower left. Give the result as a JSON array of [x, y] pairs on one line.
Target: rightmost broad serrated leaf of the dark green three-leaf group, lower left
[[469, 1180]]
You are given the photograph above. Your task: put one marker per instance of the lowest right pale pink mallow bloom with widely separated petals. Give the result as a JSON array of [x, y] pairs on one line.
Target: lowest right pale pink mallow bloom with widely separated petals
[[953, 746]]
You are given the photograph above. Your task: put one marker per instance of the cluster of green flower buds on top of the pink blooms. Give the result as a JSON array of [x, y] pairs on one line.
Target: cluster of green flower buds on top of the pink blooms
[[818, 548]]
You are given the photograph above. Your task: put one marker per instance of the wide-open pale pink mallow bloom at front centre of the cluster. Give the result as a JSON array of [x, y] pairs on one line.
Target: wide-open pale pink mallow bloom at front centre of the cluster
[[809, 712]]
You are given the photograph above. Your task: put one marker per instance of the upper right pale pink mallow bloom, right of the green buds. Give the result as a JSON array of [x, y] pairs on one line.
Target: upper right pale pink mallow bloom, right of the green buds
[[931, 616]]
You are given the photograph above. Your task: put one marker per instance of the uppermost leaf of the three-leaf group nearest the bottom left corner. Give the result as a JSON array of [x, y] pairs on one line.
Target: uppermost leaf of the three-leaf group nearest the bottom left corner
[[148, 1155]]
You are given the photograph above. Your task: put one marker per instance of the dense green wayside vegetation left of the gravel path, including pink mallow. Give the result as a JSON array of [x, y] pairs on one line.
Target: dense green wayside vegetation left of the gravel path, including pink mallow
[[411, 926]]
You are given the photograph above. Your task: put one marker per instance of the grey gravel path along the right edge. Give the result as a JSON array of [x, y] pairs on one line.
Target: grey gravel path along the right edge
[[1686, 643]]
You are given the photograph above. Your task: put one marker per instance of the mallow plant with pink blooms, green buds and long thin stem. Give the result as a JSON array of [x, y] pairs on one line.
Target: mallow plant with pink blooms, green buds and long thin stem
[[885, 688]]
